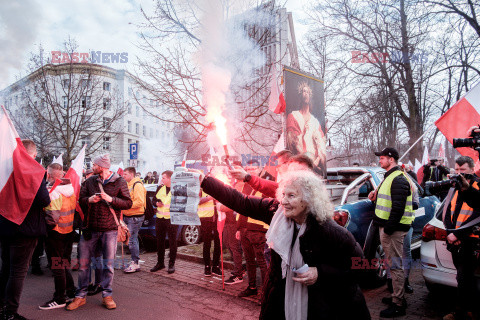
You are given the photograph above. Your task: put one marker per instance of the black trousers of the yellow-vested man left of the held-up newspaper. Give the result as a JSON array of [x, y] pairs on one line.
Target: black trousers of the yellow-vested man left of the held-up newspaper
[[162, 226]]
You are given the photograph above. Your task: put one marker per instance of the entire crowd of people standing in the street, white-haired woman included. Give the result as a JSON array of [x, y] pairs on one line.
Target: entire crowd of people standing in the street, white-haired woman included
[[284, 227]]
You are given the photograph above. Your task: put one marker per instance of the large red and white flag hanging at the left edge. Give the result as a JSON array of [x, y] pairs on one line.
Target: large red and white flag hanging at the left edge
[[20, 174]]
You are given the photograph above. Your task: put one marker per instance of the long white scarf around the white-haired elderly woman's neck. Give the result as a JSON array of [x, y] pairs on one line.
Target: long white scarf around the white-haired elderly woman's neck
[[279, 238]]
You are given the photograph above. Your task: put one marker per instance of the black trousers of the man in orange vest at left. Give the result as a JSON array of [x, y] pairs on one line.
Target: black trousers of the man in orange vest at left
[[59, 248]]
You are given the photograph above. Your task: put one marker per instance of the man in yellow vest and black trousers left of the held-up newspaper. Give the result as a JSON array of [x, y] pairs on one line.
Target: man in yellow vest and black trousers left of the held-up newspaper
[[163, 225]]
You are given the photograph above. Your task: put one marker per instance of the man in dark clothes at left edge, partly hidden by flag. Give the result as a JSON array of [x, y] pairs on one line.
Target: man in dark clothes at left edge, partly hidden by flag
[[18, 244]]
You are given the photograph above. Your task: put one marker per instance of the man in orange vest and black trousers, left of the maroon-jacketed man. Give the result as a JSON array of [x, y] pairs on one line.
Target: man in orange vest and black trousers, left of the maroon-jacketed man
[[59, 216]]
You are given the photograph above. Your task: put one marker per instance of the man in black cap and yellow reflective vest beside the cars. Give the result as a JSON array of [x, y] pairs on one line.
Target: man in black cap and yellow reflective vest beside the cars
[[394, 215]]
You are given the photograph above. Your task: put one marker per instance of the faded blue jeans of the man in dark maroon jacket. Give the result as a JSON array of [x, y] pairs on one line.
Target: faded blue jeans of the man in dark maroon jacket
[[108, 242]]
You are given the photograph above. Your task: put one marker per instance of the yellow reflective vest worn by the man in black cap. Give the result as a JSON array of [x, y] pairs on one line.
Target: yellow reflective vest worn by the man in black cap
[[384, 201]]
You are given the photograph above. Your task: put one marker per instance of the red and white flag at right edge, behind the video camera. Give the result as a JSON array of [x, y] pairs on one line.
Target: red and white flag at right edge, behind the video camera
[[465, 113]]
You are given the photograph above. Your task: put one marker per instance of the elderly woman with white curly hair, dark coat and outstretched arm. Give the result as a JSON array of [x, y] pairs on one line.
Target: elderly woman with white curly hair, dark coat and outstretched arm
[[310, 274]]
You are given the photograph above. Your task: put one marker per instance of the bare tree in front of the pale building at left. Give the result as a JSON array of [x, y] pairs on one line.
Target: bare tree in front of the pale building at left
[[66, 105]]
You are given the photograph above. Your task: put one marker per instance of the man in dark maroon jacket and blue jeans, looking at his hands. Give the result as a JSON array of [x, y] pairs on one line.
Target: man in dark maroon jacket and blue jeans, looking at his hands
[[101, 194]]
